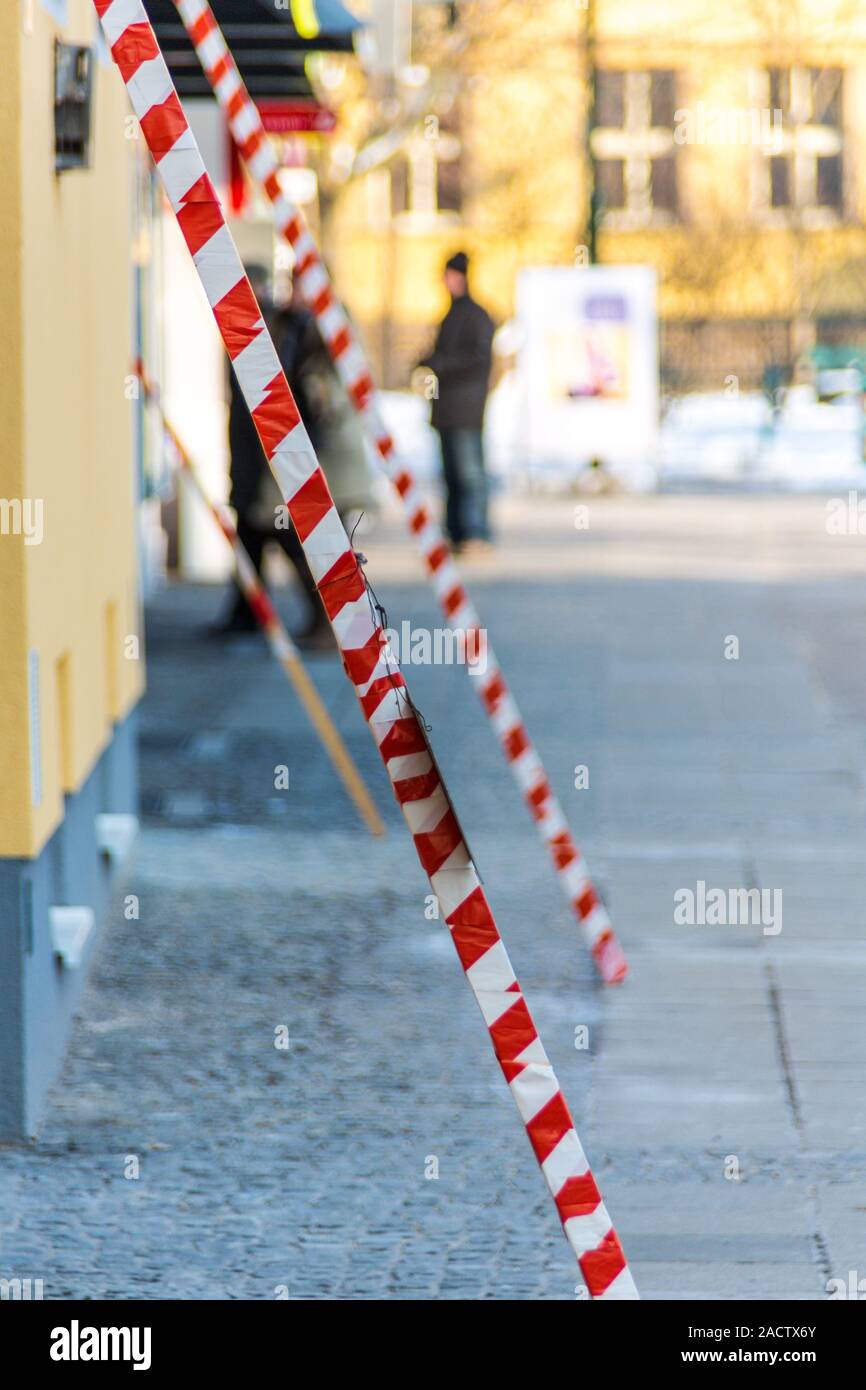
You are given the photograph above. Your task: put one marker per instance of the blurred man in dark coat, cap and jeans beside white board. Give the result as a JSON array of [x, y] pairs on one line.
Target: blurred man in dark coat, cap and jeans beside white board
[[461, 361]]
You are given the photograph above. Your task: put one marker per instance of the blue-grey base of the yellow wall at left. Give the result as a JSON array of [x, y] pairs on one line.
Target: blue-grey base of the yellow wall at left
[[38, 993]]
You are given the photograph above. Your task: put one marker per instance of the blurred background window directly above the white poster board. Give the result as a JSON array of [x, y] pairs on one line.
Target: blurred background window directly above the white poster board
[[635, 149]]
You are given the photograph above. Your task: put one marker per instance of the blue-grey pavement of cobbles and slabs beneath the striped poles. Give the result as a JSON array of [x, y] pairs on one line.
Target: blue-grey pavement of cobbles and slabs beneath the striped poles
[[722, 1096]]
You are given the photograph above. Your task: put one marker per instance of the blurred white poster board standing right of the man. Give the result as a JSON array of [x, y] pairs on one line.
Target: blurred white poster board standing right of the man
[[589, 366]]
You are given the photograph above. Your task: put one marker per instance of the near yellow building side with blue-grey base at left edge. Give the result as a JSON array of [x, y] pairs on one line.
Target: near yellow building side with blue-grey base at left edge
[[72, 669]]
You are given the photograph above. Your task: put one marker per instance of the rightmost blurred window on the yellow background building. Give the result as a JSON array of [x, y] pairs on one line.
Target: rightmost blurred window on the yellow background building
[[804, 173]]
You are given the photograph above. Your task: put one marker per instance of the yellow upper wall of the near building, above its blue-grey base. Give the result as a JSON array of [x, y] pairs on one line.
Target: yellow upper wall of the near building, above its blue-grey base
[[67, 429]]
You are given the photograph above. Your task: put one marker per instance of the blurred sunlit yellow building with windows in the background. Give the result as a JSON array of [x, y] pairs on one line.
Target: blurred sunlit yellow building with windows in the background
[[725, 142]]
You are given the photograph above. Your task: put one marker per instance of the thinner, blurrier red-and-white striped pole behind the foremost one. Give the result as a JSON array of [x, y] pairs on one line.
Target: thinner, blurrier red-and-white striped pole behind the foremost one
[[348, 357]]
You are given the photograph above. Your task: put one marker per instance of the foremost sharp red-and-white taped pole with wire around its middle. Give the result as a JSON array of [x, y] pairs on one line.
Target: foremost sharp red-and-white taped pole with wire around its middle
[[380, 687]]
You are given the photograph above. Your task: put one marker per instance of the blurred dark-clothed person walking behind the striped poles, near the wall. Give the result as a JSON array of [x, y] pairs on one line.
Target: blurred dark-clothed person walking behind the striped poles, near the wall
[[337, 439]]
